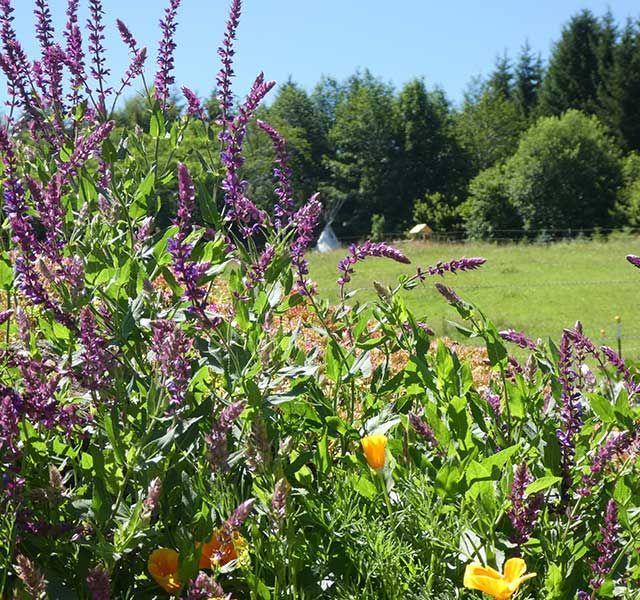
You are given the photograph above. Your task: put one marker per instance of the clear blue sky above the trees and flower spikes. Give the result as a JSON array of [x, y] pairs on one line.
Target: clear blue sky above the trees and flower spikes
[[447, 42]]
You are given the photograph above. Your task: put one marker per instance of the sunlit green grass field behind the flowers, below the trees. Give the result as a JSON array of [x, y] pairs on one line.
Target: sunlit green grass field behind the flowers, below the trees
[[538, 289]]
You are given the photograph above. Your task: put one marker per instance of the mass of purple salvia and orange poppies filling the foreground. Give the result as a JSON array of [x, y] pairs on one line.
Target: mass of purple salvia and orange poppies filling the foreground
[[182, 415]]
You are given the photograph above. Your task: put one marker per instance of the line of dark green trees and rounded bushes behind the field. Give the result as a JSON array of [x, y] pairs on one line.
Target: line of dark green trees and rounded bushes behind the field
[[532, 148]]
